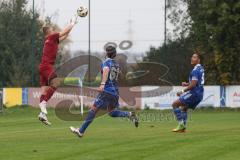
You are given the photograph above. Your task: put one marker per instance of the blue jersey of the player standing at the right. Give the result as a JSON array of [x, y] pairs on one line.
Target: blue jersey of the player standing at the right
[[197, 74]]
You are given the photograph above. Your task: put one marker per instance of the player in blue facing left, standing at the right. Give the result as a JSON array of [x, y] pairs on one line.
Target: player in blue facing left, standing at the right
[[191, 96]]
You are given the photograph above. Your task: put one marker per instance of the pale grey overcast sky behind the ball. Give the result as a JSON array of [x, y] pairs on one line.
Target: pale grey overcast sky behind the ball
[[110, 21]]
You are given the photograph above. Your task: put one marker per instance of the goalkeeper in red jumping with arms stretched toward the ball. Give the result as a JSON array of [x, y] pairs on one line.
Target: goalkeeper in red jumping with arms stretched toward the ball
[[48, 78]]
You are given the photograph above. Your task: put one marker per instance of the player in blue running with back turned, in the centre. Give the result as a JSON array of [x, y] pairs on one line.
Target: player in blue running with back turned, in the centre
[[108, 96]]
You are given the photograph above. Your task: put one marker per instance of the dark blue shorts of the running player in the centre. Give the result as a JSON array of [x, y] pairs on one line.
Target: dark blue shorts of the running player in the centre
[[105, 100]]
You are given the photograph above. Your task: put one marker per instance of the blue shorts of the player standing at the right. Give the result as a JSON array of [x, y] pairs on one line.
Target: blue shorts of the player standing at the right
[[191, 100]]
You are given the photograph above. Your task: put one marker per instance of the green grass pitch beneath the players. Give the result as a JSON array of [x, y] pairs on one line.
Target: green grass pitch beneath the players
[[211, 135]]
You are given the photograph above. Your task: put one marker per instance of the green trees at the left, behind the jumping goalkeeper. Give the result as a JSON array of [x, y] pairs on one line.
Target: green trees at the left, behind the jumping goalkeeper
[[15, 44]]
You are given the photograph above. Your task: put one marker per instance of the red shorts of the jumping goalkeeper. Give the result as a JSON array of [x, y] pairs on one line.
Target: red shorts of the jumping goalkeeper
[[47, 73]]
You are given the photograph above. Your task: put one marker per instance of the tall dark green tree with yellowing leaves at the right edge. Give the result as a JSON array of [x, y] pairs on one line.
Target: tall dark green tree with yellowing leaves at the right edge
[[215, 27]]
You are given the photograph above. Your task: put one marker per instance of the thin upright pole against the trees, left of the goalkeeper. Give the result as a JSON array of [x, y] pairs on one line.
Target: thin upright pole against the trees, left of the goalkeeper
[[33, 40]]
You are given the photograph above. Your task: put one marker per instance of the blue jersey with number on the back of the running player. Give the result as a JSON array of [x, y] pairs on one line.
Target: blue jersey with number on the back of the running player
[[111, 85]]
